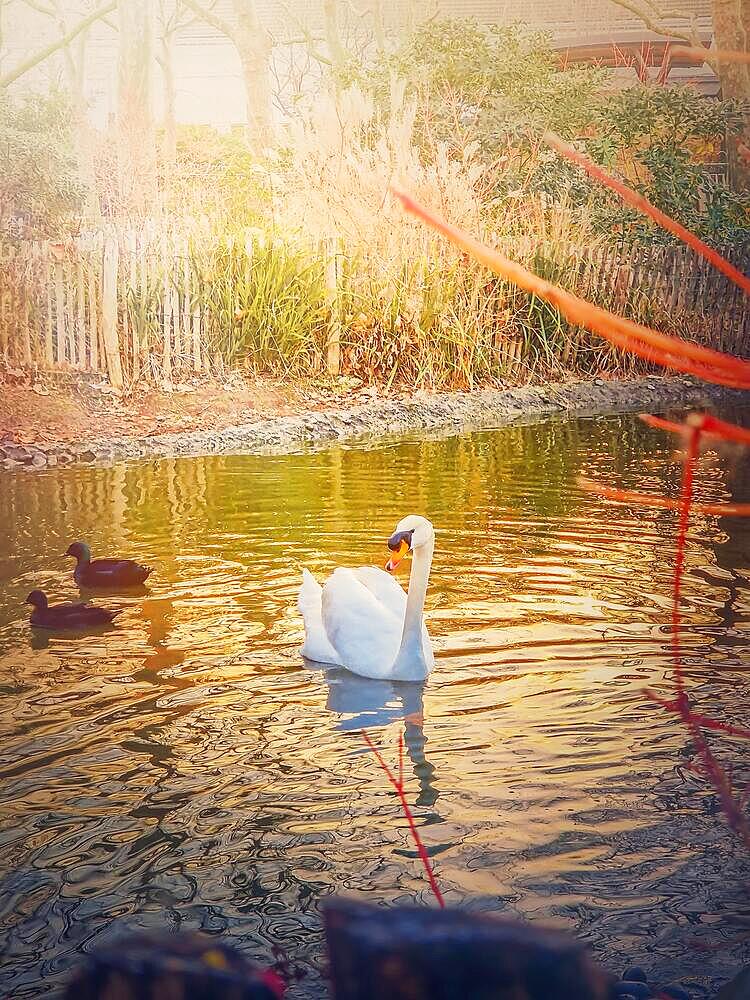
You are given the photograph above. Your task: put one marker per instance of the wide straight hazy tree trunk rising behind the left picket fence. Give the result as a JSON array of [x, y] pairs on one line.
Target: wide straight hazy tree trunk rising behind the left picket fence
[[135, 124]]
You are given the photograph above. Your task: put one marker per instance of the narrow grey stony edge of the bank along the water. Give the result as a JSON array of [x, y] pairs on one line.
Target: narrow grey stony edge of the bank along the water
[[379, 417]]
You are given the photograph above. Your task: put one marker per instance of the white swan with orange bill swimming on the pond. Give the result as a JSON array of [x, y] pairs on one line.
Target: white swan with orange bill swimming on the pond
[[361, 619]]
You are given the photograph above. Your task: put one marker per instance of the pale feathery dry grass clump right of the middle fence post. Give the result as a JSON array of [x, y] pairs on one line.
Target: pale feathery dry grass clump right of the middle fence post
[[410, 308]]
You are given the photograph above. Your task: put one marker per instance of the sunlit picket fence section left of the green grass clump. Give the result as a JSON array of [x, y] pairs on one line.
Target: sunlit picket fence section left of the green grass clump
[[75, 306]]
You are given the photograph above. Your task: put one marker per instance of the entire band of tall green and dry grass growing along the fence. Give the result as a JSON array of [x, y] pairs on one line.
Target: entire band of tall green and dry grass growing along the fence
[[328, 249]]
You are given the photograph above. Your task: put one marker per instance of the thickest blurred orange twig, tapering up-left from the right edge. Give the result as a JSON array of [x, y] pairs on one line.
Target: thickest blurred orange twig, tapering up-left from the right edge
[[671, 352]]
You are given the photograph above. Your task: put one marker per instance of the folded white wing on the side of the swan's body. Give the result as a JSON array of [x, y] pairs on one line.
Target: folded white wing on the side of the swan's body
[[363, 631]]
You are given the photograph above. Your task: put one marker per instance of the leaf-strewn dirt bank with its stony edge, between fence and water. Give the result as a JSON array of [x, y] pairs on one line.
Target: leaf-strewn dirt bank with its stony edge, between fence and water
[[47, 424]]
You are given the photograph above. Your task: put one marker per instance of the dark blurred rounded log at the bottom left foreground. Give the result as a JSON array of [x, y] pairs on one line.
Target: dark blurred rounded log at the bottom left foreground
[[181, 966]]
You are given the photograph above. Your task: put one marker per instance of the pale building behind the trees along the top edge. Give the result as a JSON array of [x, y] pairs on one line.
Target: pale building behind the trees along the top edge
[[208, 77]]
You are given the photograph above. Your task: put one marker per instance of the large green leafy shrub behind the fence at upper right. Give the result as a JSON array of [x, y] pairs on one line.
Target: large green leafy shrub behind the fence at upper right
[[503, 86]]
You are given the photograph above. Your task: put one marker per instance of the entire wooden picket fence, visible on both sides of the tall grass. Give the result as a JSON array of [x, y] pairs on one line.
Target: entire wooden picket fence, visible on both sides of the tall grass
[[128, 305]]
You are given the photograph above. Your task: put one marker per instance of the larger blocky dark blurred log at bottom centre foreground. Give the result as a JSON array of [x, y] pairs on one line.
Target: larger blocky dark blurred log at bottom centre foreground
[[413, 953]]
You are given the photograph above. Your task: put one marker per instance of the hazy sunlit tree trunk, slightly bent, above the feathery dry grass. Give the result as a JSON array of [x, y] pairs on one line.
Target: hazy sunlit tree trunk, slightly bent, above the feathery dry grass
[[254, 48]]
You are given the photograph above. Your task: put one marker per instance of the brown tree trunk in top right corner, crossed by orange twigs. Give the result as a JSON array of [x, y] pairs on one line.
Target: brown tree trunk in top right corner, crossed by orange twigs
[[731, 29]]
